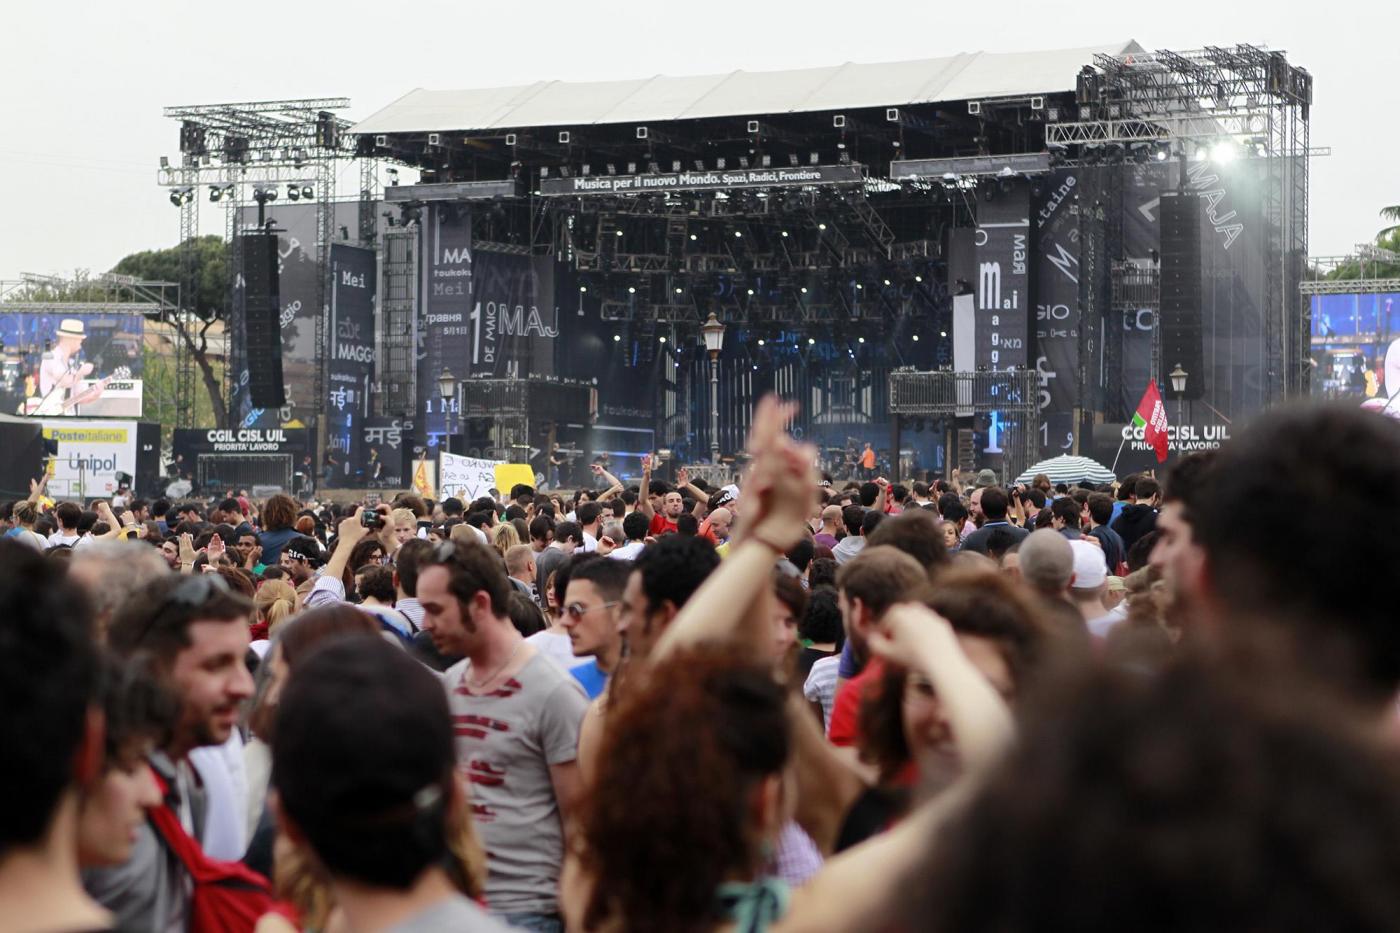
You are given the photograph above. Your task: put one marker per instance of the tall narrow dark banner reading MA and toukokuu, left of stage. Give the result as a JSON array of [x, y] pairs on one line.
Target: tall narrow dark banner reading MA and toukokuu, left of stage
[[446, 333]]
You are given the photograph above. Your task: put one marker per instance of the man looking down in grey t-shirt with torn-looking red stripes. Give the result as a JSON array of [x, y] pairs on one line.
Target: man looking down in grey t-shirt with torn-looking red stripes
[[516, 714]]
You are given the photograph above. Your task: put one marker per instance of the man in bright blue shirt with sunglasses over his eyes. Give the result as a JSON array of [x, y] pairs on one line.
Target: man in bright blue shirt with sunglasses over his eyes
[[591, 610]]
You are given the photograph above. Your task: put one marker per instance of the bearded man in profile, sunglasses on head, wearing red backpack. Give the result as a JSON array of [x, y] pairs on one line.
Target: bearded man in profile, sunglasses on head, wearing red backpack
[[195, 633]]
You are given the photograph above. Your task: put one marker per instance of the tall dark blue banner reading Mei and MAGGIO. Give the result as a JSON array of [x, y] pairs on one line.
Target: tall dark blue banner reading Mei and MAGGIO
[[352, 357]]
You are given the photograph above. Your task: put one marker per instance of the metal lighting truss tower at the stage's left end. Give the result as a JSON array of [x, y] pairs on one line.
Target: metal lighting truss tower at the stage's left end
[[234, 151]]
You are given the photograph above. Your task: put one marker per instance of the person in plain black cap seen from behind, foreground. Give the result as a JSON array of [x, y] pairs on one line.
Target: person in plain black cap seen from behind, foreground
[[365, 771]]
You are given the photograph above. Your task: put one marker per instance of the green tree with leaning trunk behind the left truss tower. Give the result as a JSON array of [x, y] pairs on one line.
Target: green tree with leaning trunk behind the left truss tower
[[198, 312]]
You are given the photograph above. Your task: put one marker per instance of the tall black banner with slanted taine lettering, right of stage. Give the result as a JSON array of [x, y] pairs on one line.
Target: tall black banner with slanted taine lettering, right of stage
[[1058, 307]]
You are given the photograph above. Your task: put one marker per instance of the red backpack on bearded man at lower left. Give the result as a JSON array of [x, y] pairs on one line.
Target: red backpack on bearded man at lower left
[[229, 896]]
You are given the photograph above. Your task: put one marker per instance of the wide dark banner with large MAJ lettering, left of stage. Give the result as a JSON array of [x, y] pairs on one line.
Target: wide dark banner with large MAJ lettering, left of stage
[[514, 322]]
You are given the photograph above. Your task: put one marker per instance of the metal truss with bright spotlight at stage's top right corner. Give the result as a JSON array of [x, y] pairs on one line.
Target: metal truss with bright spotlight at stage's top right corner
[[1245, 96]]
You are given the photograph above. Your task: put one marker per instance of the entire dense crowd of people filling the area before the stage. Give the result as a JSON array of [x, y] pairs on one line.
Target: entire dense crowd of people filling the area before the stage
[[779, 705]]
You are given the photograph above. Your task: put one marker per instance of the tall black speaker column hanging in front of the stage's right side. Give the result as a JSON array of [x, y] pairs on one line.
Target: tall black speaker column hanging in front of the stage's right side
[[1179, 315]]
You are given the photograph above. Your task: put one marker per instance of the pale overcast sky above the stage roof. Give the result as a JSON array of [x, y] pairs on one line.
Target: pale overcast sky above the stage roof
[[83, 85]]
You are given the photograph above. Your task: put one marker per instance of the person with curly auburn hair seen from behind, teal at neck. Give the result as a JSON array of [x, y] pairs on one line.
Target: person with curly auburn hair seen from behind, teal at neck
[[688, 802]]
